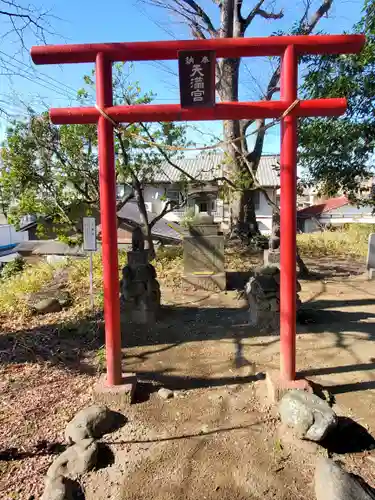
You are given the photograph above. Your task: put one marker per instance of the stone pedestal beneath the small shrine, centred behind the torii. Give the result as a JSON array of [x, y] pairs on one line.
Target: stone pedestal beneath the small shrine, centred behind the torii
[[204, 255]]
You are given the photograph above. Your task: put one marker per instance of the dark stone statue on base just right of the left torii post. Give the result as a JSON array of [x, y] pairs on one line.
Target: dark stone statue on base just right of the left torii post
[[140, 291]]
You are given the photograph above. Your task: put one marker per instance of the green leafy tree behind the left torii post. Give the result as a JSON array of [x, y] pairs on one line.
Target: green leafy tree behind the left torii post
[[52, 170]]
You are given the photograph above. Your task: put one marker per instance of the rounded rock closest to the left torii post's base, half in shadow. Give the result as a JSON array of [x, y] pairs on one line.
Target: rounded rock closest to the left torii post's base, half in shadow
[[91, 422]]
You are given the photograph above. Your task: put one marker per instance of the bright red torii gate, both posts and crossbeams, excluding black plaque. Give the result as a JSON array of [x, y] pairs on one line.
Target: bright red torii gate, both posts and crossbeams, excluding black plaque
[[289, 48]]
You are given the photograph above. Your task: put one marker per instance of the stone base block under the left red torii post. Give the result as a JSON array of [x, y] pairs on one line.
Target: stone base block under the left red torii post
[[115, 395]]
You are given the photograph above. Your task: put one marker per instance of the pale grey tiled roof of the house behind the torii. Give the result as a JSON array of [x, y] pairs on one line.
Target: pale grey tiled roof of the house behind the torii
[[208, 166]]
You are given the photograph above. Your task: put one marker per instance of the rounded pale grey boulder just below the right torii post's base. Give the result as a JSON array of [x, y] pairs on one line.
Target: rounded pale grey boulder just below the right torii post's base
[[309, 416]]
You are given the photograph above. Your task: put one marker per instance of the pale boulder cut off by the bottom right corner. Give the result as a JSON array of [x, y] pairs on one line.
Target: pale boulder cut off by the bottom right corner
[[334, 483]]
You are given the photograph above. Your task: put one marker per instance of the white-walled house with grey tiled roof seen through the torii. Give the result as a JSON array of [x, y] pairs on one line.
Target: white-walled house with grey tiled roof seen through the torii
[[166, 185]]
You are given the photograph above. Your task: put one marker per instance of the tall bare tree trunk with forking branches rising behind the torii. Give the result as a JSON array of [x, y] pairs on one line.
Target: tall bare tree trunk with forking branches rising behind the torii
[[233, 24]]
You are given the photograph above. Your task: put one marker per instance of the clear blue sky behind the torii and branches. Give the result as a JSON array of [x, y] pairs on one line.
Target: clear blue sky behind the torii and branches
[[80, 21]]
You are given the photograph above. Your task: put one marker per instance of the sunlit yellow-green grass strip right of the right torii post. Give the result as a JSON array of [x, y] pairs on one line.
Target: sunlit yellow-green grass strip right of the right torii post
[[349, 241]]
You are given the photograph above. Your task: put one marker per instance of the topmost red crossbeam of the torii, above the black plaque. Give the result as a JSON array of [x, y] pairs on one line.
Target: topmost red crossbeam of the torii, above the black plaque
[[224, 47]]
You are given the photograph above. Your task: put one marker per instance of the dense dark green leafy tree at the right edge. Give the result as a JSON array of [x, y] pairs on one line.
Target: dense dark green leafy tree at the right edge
[[338, 153]]
